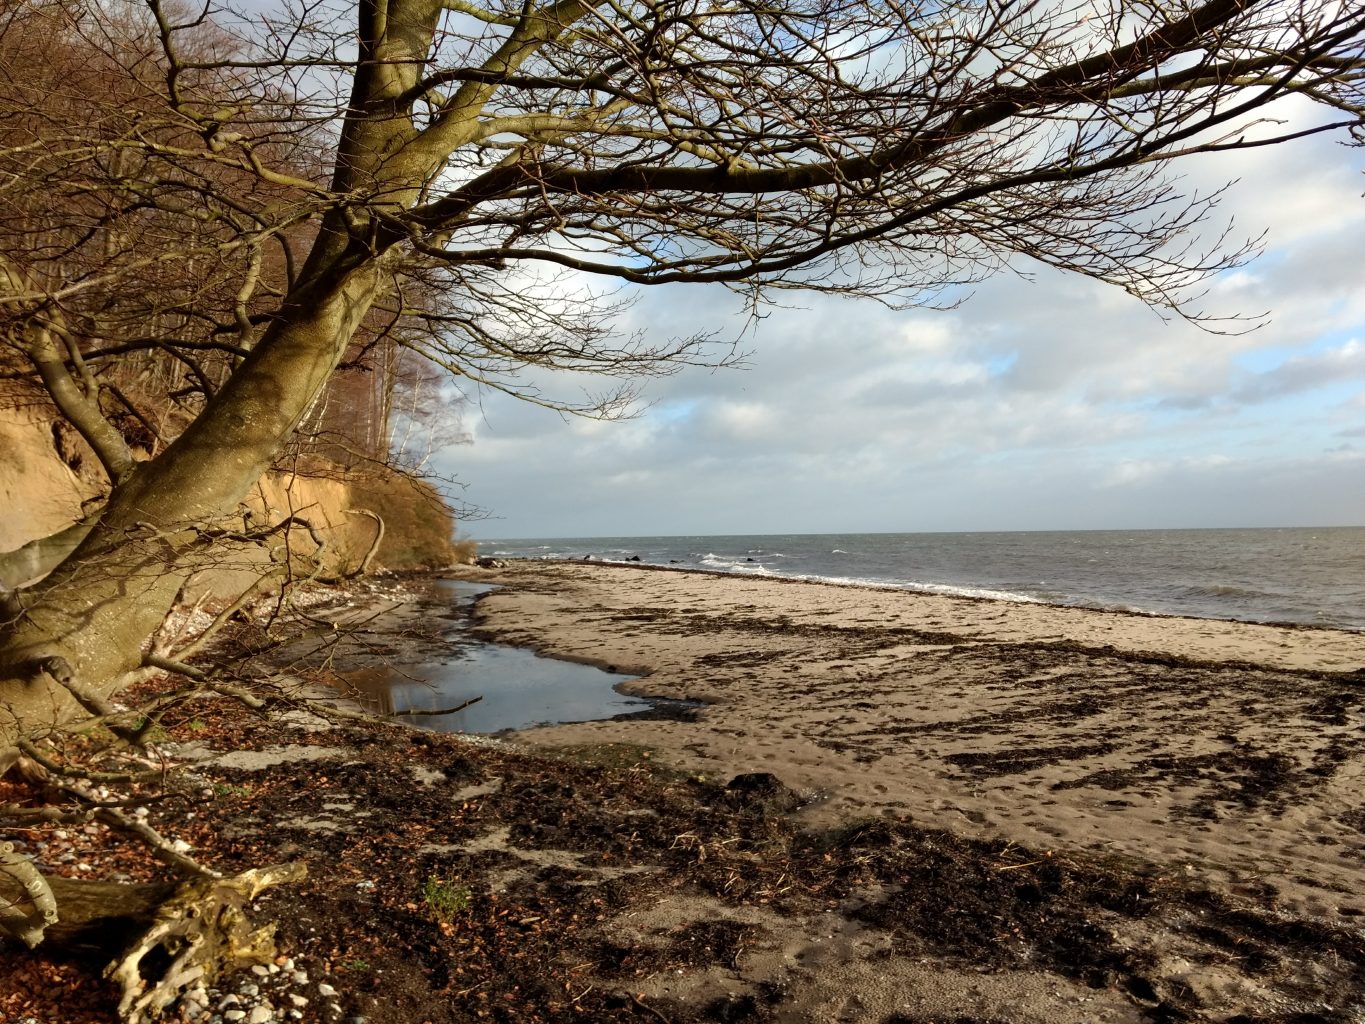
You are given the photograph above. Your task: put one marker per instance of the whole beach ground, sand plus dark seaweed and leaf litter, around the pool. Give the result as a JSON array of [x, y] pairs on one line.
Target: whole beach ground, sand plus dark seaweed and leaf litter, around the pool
[[892, 809]]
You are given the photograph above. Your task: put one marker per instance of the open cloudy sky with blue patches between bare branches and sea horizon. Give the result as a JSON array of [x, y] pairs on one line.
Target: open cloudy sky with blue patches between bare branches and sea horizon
[[1042, 403]]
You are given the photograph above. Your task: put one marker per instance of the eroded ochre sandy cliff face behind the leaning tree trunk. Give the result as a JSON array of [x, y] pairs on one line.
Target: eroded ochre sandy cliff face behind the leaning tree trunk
[[47, 477]]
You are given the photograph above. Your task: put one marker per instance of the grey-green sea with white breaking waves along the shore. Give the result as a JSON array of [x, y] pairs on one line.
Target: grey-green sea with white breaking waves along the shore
[[1306, 577]]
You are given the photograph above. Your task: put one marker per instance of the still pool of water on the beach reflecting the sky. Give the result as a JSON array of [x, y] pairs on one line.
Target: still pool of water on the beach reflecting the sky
[[517, 689]]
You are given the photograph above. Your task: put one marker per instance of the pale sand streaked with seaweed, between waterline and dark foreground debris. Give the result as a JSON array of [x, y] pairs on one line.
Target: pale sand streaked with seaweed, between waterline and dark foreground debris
[[1225, 752]]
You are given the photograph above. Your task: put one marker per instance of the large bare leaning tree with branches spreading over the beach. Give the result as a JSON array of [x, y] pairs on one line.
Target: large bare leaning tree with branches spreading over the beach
[[255, 190]]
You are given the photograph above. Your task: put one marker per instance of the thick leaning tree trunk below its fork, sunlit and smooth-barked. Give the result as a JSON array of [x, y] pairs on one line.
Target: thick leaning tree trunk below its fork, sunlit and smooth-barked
[[84, 627]]
